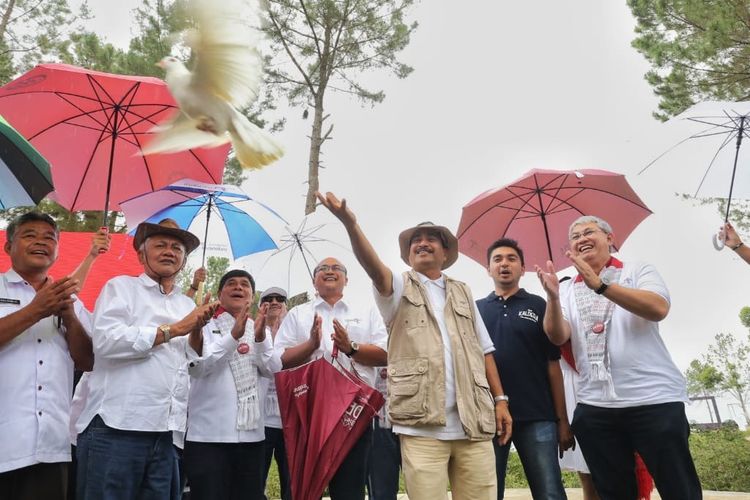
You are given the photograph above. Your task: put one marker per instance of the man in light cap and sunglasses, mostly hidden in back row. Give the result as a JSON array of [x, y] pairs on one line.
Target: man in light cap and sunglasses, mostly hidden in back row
[[276, 298]]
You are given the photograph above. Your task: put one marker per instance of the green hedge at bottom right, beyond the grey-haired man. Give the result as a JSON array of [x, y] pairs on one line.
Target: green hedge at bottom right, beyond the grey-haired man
[[722, 459]]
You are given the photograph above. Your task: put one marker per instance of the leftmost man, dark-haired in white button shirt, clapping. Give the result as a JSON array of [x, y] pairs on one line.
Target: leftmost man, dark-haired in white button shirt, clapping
[[43, 335]]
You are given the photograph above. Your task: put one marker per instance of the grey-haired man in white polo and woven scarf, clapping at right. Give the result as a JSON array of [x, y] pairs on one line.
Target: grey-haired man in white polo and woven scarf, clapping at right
[[631, 396]]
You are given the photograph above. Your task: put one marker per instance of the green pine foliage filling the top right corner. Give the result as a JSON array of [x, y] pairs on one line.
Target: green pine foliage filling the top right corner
[[698, 50]]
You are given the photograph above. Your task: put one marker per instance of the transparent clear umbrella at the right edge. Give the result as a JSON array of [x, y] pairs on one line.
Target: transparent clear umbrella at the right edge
[[720, 127]]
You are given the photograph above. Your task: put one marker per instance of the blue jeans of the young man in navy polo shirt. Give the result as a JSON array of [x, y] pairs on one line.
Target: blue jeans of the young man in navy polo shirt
[[536, 443]]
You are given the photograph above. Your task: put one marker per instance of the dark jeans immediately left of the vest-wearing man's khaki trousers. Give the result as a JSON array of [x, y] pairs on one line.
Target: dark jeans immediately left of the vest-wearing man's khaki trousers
[[384, 464]]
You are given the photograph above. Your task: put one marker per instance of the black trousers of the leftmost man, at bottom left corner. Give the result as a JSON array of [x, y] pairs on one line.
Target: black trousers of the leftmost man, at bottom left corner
[[47, 481]]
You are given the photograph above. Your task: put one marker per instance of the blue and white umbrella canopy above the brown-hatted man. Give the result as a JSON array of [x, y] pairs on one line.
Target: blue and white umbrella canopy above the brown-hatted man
[[188, 200]]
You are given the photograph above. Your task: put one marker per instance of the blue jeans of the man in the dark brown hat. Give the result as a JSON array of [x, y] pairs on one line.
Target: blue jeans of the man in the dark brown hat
[[125, 465]]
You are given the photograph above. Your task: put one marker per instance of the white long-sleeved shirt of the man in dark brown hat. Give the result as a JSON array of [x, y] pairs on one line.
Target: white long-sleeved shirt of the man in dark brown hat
[[134, 385]]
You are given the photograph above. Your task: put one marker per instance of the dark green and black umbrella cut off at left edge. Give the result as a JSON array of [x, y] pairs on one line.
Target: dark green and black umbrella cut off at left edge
[[24, 173]]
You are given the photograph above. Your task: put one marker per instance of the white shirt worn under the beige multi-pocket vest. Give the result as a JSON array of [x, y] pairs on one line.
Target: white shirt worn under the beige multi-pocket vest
[[388, 306]]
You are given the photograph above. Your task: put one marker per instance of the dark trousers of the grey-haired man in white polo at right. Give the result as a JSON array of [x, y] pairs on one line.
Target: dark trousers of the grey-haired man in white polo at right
[[659, 433]]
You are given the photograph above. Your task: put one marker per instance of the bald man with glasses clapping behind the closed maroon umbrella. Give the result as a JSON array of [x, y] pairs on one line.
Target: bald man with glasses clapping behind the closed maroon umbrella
[[312, 330]]
